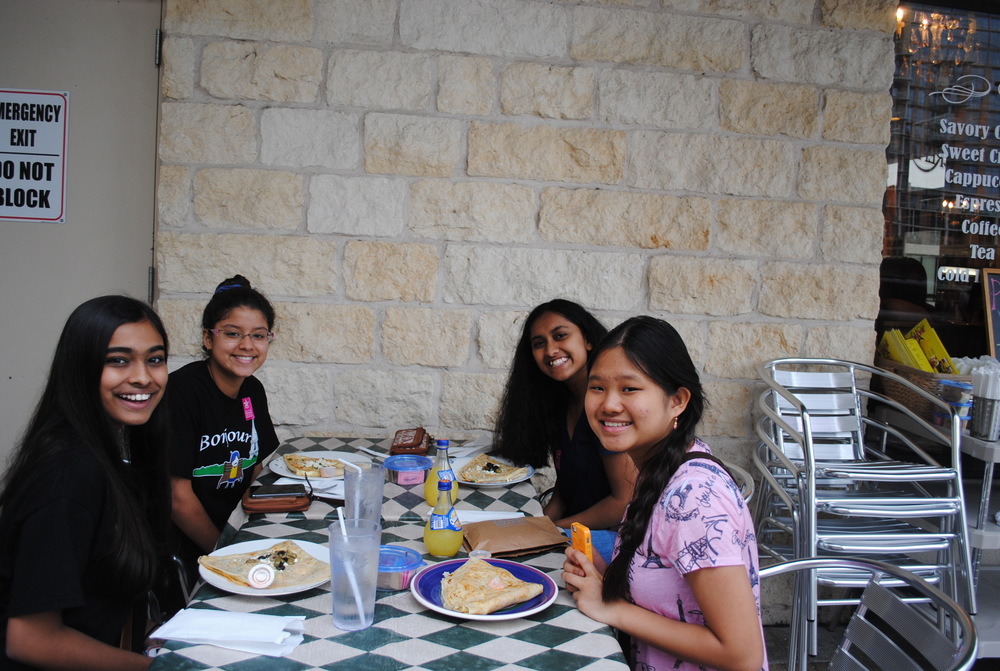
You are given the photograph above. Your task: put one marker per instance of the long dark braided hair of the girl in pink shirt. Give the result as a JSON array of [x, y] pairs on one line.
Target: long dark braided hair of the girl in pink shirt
[[656, 349]]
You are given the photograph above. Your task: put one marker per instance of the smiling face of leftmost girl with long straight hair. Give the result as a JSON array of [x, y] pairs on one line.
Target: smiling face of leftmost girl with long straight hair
[[134, 373]]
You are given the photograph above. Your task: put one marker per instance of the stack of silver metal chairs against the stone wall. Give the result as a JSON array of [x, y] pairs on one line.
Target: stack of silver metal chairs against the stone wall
[[842, 479]]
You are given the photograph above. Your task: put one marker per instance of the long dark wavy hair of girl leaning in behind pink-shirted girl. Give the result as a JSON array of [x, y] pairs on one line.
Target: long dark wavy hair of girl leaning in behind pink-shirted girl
[[533, 407]]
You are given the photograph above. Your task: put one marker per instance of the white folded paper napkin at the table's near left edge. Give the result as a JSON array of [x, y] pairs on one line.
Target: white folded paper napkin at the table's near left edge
[[269, 635]]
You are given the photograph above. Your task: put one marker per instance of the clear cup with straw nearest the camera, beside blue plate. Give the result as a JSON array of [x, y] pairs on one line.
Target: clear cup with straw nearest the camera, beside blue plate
[[354, 550]]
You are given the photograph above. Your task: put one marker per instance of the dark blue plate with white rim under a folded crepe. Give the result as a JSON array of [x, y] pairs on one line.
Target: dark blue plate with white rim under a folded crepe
[[426, 588]]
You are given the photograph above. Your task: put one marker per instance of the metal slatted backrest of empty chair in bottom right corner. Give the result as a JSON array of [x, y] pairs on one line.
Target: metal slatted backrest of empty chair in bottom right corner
[[890, 634]]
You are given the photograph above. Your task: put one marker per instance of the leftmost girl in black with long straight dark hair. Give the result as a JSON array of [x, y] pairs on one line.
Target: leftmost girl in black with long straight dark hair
[[83, 494]]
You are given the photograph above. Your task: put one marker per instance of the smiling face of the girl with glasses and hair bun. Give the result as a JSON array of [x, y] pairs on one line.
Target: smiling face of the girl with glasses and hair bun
[[230, 362]]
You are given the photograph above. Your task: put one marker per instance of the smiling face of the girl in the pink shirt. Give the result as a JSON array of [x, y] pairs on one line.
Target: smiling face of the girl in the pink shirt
[[627, 410]]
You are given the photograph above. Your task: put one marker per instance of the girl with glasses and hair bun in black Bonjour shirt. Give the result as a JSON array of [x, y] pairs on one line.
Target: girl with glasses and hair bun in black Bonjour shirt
[[222, 429]]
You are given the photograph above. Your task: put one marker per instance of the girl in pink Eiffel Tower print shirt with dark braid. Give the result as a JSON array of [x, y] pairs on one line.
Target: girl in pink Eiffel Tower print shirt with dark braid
[[682, 583]]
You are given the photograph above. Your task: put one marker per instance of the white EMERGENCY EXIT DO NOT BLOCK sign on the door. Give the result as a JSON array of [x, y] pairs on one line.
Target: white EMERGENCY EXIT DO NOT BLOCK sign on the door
[[33, 128]]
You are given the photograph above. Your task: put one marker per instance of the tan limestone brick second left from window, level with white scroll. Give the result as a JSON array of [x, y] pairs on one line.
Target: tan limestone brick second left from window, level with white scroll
[[761, 108]]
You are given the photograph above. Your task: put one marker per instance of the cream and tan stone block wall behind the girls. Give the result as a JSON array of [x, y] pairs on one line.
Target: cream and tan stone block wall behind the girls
[[405, 179]]
